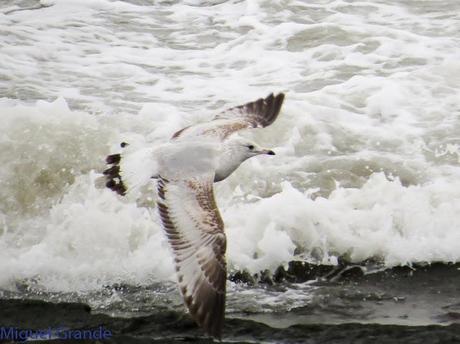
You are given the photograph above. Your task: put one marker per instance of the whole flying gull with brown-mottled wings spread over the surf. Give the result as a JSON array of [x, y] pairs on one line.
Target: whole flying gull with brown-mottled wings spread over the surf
[[185, 169]]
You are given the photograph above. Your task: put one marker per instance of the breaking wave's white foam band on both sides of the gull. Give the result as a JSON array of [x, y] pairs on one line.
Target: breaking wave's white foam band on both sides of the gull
[[65, 233]]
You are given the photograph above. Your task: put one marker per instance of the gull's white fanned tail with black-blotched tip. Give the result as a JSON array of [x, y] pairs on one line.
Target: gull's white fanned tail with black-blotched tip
[[130, 170]]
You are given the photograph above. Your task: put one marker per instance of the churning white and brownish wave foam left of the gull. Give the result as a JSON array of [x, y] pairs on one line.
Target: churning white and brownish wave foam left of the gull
[[59, 229]]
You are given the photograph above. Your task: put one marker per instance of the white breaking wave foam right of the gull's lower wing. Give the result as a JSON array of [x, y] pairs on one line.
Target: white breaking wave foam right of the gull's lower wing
[[401, 225]]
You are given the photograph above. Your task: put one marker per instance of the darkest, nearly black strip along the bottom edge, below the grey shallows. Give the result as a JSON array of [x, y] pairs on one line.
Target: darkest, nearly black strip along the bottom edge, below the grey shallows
[[173, 327]]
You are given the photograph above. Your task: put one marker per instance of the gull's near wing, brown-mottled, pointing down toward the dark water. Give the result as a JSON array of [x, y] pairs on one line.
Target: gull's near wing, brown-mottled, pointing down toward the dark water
[[195, 232]]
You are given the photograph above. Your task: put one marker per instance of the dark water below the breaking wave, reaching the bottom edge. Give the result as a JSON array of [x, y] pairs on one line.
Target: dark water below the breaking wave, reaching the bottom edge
[[400, 305]]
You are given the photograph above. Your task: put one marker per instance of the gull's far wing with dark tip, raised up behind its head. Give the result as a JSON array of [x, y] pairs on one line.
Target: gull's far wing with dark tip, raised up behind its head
[[256, 114]]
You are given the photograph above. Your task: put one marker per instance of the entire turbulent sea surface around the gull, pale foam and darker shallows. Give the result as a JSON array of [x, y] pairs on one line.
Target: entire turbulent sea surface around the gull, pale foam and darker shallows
[[355, 220]]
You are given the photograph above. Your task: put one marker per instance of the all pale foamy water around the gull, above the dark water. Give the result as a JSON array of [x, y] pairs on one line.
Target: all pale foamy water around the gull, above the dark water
[[367, 160]]
